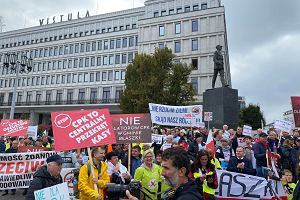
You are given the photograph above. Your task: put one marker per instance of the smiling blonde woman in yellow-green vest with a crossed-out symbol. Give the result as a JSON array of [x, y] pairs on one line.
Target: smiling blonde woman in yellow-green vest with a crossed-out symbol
[[149, 175]]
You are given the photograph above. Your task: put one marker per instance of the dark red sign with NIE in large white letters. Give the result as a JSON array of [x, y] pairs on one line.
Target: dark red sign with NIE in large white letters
[[131, 128]]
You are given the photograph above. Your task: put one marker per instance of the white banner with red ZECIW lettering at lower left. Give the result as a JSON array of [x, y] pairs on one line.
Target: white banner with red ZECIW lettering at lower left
[[17, 169]]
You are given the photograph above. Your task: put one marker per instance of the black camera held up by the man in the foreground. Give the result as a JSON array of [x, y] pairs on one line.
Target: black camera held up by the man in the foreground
[[117, 191]]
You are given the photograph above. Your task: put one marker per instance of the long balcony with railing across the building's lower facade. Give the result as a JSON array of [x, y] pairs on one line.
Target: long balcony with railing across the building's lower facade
[[67, 102]]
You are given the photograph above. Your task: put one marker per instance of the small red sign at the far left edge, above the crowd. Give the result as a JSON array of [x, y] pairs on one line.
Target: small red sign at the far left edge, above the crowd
[[14, 127]]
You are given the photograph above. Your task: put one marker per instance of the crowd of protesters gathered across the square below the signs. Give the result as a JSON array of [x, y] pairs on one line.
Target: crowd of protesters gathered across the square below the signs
[[148, 164]]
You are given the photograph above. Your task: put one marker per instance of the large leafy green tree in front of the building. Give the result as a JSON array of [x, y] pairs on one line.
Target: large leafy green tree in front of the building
[[155, 79]]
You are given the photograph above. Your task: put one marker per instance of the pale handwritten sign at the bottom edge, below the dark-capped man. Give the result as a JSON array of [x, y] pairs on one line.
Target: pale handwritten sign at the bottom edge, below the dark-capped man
[[59, 191]]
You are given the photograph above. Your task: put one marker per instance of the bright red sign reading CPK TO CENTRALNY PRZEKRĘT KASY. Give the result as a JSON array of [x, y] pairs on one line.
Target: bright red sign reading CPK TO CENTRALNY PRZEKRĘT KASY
[[82, 128]]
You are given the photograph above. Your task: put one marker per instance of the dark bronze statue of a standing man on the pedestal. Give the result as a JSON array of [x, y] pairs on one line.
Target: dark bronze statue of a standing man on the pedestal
[[218, 66]]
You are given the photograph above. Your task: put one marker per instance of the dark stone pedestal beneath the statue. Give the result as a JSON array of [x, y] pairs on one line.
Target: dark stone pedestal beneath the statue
[[223, 103]]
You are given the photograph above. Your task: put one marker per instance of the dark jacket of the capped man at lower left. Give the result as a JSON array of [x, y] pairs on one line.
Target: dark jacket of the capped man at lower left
[[41, 180]]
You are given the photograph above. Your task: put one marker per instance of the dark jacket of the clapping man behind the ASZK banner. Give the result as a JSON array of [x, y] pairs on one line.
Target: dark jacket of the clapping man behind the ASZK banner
[[233, 162]]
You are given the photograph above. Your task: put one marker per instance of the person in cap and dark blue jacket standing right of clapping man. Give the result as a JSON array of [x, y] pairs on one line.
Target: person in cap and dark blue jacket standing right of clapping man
[[260, 150]]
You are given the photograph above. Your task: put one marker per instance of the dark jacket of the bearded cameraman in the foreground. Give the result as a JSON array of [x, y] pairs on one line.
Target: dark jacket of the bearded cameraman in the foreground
[[187, 191]]
